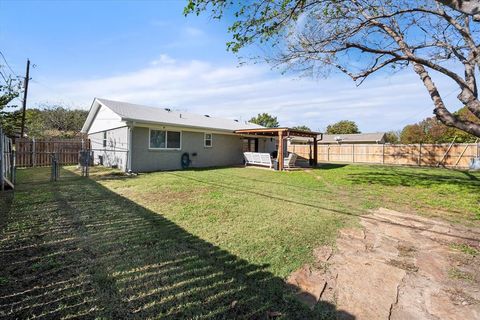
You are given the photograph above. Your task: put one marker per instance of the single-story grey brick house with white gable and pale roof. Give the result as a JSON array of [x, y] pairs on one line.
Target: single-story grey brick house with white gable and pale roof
[[140, 139]]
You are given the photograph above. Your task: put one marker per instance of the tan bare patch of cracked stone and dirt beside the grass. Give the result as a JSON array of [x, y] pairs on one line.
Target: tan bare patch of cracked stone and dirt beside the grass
[[397, 266]]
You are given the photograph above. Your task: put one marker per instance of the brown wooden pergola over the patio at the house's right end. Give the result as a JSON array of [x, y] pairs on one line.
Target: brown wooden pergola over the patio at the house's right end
[[282, 133]]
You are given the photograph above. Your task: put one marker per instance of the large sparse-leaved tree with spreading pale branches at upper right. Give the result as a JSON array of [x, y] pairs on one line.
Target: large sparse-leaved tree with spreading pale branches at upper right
[[362, 37]]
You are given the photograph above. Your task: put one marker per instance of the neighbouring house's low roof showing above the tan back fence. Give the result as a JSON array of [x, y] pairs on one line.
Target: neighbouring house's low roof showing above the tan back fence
[[357, 138]]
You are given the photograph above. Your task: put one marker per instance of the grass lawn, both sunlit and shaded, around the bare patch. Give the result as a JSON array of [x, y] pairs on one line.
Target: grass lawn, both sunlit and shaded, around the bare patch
[[200, 244]]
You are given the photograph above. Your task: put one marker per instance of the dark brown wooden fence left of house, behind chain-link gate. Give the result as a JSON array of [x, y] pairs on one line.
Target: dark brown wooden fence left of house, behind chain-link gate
[[32, 153]]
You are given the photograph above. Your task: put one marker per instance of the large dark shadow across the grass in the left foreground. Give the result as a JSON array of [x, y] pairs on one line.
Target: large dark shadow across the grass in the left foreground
[[87, 252]]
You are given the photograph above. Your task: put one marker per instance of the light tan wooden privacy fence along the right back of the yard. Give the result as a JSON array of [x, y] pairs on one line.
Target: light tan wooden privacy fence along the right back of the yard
[[448, 155]]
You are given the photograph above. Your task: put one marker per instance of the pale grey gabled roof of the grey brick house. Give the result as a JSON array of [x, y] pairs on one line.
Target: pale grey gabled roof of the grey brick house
[[164, 116]]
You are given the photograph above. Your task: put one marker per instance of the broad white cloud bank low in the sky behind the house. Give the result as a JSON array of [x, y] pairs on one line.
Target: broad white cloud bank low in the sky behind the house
[[383, 103]]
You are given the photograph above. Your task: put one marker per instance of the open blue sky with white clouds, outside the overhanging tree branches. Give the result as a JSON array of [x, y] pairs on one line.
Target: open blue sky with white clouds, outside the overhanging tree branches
[[147, 52]]
